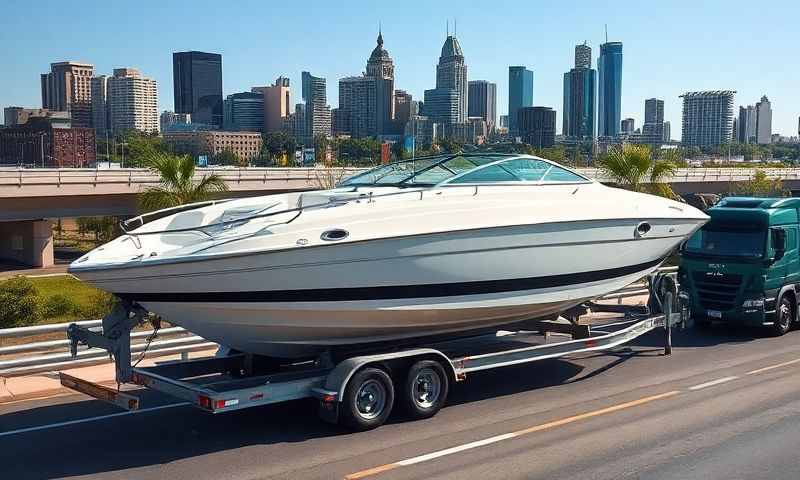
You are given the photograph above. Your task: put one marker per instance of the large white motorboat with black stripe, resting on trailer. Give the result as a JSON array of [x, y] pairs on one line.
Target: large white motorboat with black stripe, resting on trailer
[[424, 247]]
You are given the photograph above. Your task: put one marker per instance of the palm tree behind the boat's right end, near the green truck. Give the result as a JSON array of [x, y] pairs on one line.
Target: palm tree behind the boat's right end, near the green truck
[[633, 167]]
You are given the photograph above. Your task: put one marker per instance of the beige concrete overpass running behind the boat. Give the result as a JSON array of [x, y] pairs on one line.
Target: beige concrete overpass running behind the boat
[[30, 196]]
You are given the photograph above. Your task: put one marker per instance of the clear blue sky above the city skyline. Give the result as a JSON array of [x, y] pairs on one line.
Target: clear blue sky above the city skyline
[[669, 47]]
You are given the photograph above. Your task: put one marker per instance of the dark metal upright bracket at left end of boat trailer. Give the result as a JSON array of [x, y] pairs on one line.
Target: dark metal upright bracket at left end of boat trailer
[[115, 337]]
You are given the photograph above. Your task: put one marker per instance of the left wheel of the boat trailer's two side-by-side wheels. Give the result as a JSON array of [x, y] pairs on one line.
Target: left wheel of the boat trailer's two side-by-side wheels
[[368, 400]]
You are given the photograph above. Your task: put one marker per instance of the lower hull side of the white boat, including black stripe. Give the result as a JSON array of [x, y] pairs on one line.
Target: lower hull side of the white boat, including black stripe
[[295, 303]]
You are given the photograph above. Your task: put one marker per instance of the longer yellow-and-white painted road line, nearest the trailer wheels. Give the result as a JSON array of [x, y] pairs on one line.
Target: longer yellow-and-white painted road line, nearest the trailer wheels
[[518, 433]]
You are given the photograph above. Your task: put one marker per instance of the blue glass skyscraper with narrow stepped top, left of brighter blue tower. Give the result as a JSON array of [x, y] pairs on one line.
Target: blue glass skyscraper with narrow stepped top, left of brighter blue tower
[[579, 96]]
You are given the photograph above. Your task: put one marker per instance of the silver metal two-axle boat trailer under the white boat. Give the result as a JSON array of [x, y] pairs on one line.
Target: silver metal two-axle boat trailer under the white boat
[[359, 391]]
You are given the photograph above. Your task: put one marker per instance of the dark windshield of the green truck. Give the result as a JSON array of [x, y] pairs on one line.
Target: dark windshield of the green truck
[[727, 242]]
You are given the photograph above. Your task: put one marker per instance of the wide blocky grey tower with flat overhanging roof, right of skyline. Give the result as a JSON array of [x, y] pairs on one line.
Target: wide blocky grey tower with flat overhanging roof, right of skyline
[[707, 118]]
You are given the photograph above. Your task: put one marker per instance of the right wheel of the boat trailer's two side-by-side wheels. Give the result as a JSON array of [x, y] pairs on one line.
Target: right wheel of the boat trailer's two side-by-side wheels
[[425, 389]]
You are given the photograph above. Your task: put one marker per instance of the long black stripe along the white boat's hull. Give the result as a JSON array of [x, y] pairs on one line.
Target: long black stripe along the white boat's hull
[[395, 291]]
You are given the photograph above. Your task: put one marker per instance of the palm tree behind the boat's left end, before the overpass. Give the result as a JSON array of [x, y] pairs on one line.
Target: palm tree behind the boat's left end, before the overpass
[[177, 183]]
